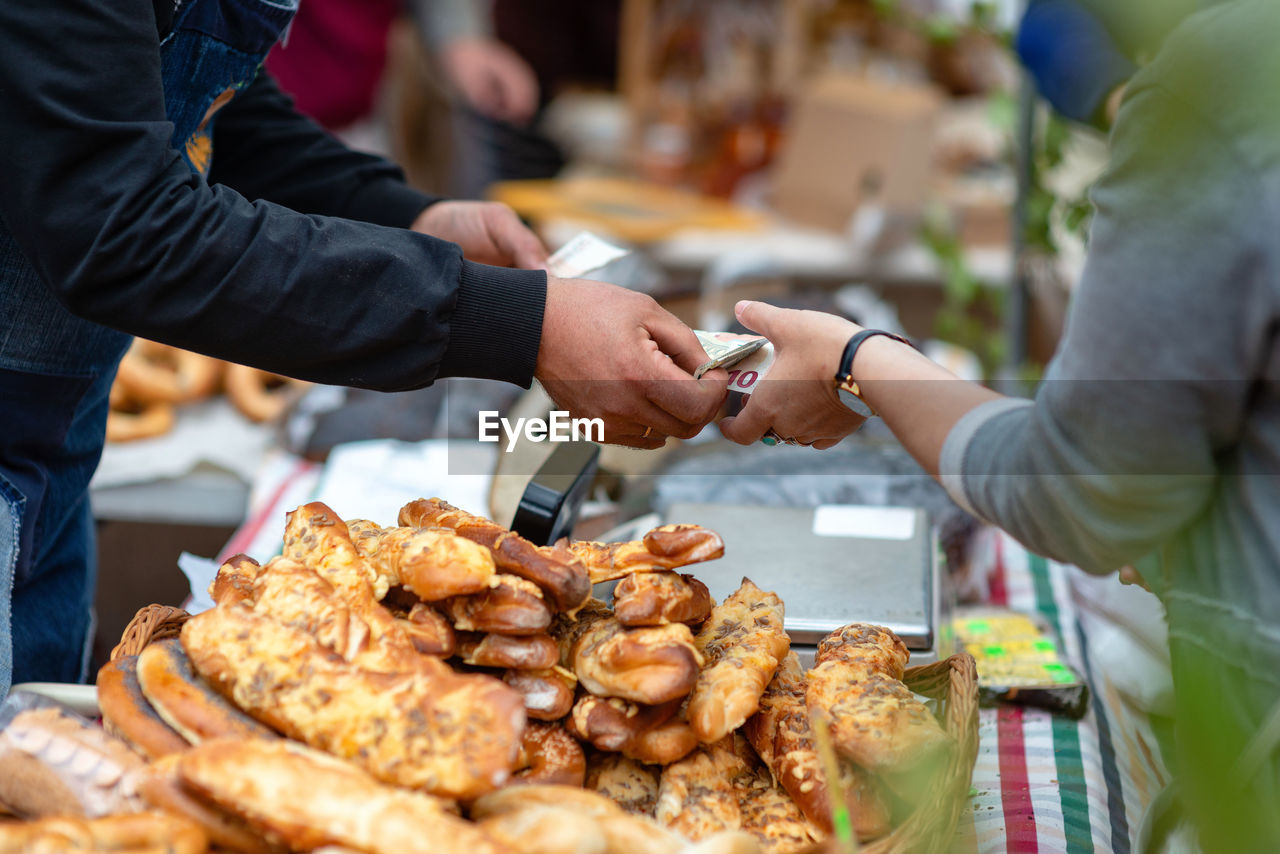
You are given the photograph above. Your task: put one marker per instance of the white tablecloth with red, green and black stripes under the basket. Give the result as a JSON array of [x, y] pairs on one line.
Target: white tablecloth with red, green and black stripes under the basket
[[1043, 783]]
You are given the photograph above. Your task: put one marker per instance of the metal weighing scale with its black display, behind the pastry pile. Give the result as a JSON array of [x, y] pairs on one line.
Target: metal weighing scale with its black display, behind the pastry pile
[[831, 565]]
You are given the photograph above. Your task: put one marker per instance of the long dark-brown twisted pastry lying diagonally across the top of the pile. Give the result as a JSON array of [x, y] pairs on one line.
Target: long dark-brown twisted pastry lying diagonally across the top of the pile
[[555, 570]]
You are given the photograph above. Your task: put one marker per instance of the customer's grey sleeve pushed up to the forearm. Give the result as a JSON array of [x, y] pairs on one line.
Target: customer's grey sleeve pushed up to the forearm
[[1151, 381]]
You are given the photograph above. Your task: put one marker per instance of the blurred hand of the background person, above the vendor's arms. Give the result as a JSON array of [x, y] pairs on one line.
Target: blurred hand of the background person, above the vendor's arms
[[492, 77]]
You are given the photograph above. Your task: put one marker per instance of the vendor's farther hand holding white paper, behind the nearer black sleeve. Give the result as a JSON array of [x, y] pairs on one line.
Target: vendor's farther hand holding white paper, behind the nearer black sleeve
[[488, 234]]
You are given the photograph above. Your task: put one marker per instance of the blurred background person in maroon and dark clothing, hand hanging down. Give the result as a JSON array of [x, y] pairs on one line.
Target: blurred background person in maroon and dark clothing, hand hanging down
[[501, 61]]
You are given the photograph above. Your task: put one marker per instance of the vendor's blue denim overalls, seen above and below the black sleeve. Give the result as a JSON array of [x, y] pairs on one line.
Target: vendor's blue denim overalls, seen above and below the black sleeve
[[57, 371]]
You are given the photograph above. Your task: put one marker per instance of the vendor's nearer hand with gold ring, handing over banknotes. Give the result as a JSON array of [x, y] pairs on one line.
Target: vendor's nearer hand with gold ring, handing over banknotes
[[612, 354]]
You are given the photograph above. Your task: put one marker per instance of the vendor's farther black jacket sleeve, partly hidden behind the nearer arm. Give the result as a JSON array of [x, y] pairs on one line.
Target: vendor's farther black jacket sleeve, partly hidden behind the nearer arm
[[266, 149]]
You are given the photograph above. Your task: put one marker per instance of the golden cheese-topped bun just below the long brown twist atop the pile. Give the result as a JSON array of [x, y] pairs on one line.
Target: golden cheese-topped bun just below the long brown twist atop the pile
[[435, 564]]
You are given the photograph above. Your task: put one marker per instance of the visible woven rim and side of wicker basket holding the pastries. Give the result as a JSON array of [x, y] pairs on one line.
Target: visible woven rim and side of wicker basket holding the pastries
[[954, 683]]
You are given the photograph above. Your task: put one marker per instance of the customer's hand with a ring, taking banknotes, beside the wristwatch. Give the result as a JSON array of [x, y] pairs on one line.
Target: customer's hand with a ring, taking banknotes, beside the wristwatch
[[797, 399]]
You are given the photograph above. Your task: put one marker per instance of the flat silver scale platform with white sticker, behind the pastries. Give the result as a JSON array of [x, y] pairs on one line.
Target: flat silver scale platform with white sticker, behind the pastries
[[831, 565]]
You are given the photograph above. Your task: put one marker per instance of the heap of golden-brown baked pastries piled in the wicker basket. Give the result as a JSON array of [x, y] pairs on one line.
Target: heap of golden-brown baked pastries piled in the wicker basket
[[449, 668]]
